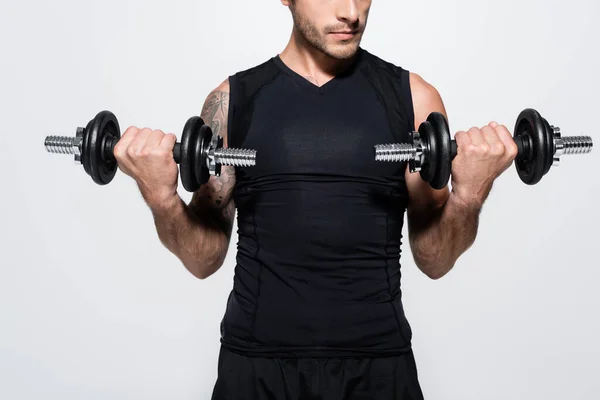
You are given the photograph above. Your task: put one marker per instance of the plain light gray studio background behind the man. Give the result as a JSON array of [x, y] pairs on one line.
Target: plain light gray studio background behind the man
[[93, 307]]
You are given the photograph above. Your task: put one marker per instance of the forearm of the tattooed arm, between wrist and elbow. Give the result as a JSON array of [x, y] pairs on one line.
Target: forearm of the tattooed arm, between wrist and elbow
[[196, 243]]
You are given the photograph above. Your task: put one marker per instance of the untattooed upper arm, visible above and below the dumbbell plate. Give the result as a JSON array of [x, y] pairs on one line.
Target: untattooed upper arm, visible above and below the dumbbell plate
[[423, 199]]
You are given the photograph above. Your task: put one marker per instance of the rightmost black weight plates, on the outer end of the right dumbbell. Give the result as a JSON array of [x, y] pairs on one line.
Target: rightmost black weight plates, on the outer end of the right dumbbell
[[531, 124]]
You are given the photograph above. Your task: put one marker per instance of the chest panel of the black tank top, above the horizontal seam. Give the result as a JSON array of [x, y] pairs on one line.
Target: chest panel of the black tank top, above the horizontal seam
[[294, 131]]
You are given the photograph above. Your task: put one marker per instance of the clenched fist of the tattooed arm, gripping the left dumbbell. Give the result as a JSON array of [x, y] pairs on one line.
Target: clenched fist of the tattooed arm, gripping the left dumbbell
[[146, 155]]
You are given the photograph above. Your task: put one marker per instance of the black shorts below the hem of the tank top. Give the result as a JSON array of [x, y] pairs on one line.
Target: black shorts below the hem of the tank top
[[258, 378]]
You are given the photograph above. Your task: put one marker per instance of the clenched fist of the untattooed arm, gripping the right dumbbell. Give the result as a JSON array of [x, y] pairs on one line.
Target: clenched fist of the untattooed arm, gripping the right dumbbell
[[482, 155]]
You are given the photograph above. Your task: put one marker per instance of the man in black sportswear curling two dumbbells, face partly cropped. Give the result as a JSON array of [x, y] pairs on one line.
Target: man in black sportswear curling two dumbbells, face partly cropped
[[316, 310]]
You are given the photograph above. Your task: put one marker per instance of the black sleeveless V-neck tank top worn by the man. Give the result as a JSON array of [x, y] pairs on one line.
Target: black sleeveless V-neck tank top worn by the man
[[319, 220]]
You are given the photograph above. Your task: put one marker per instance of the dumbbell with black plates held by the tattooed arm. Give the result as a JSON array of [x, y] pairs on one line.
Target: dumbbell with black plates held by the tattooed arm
[[199, 154]]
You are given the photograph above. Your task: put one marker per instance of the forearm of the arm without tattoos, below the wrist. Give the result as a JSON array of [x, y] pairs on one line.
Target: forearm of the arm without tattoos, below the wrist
[[438, 242]]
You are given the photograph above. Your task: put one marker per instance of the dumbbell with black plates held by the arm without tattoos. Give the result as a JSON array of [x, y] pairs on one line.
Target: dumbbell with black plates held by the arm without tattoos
[[431, 150]]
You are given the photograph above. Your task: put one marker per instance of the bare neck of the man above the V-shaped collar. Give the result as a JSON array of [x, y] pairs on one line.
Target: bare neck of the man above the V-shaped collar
[[310, 62]]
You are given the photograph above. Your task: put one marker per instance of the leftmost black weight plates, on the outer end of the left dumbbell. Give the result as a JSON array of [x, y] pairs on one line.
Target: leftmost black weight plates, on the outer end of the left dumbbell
[[98, 130]]
